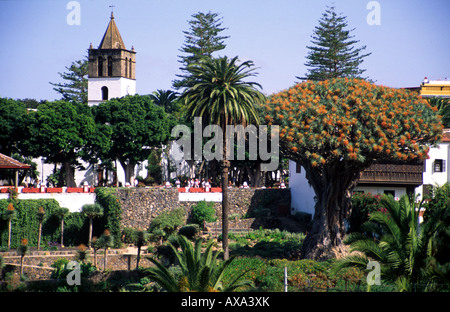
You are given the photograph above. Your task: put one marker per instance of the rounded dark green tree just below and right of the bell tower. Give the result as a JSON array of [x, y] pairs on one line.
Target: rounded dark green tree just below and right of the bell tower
[[136, 125]]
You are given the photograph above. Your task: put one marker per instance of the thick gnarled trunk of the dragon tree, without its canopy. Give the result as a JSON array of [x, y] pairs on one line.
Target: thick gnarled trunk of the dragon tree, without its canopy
[[333, 206]]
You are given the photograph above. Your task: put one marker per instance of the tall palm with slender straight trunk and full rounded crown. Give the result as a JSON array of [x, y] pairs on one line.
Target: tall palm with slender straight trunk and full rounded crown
[[220, 96]]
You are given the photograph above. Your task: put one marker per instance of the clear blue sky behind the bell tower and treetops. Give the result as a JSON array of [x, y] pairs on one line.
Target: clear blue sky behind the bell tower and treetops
[[410, 43]]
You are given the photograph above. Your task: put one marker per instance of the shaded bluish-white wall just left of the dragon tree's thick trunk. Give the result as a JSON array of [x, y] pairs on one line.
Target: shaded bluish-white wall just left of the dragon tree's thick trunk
[[302, 194]]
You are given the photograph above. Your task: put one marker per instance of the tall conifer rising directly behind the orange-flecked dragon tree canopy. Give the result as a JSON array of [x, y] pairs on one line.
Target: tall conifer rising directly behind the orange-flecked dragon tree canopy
[[333, 53]]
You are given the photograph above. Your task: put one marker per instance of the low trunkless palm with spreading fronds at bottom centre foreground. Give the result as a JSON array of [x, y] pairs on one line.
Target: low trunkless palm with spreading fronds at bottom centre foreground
[[200, 272]]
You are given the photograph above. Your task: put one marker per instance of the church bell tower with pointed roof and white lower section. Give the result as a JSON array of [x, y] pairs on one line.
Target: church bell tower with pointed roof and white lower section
[[111, 68]]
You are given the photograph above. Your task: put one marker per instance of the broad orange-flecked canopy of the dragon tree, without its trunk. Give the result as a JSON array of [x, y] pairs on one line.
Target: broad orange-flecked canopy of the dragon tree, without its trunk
[[352, 120]]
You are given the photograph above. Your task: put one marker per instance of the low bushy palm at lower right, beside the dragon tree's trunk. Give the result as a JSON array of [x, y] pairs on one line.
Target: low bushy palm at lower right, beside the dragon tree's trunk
[[398, 242]]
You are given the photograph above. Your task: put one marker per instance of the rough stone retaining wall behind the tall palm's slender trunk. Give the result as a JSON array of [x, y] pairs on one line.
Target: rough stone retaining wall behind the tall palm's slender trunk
[[141, 205]]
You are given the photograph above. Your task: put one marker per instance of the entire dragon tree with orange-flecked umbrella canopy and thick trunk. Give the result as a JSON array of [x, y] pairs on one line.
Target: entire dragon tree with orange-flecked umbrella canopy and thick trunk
[[337, 128]]
